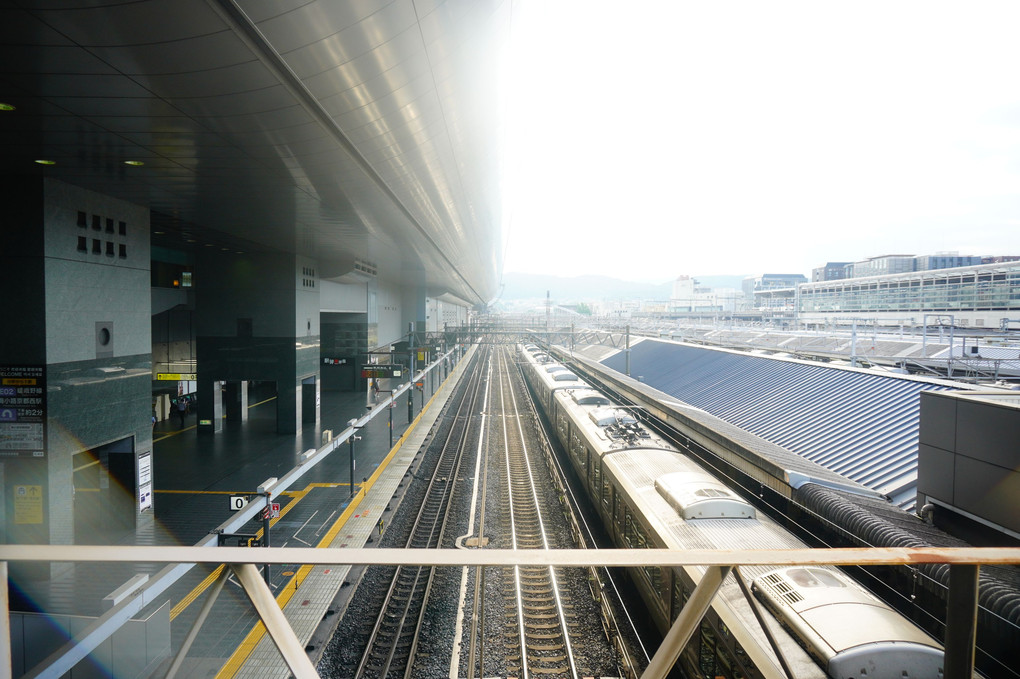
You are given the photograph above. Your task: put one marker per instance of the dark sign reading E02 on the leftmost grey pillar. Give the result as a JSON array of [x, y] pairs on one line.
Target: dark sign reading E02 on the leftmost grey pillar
[[23, 411]]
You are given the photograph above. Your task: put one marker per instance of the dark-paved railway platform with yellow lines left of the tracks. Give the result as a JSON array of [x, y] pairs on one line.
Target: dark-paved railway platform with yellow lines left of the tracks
[[194, 479]]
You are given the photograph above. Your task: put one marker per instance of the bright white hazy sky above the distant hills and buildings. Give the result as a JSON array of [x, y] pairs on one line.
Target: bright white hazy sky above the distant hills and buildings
[[648, 140]]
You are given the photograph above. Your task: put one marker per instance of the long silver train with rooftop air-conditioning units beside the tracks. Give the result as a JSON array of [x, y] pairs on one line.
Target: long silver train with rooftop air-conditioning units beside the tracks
[[649, 494]]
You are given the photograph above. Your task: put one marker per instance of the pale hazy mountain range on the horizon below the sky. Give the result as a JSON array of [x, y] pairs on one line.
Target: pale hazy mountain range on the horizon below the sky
[[592, 288]]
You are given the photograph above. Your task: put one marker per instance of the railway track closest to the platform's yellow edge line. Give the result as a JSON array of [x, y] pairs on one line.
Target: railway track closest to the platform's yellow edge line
[[393, 640]]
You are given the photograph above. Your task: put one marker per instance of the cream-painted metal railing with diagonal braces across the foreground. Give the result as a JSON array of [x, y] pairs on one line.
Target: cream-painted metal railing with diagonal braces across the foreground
[[961, 624]]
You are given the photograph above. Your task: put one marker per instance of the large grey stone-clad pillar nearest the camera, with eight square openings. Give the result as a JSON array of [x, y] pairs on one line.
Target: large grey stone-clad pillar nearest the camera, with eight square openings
[[80, 264]]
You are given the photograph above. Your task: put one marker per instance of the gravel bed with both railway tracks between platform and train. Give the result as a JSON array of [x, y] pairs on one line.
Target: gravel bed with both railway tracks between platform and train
[[499, 621]]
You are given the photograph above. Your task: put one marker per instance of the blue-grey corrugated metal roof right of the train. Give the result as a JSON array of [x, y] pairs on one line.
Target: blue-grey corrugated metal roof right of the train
[[859, 425]]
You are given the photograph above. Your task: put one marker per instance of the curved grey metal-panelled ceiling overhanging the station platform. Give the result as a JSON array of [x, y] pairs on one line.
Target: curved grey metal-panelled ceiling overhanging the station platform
[[334, 130]]
